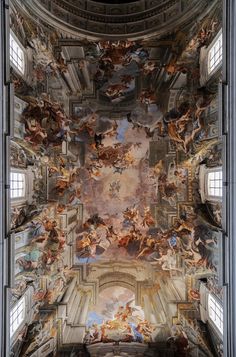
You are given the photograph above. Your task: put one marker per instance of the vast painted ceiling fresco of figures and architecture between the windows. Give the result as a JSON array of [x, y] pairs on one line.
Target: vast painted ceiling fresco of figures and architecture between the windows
[[115, 241]]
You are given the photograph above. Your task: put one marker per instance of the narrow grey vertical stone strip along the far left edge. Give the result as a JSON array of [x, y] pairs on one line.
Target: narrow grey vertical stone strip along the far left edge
[[6, 254]]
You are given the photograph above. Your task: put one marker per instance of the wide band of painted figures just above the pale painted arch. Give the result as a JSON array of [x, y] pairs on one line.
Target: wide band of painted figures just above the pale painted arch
[[190, 239]]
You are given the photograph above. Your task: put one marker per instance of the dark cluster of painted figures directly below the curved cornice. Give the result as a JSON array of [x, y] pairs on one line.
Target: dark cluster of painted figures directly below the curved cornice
[[117, 65]]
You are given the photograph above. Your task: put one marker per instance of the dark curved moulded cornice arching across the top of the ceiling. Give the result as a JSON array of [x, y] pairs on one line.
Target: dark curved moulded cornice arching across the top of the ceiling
[[94, 21]]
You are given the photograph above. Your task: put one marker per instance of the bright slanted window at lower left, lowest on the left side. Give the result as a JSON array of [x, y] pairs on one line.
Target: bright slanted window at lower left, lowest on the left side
[[21, 302]]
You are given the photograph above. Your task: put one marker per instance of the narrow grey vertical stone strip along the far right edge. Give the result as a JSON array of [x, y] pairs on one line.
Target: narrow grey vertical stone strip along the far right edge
[[228, 123]]
